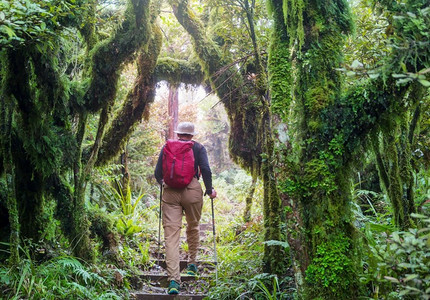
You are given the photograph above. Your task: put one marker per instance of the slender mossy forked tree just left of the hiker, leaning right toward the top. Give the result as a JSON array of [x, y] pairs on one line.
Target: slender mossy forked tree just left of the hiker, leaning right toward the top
[[108, 58]]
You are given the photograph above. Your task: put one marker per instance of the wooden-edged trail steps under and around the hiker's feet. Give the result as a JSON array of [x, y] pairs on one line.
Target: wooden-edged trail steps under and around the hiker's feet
[[155, 279]]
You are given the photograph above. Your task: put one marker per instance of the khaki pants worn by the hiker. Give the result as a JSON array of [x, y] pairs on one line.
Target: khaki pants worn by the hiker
[[175, 201]]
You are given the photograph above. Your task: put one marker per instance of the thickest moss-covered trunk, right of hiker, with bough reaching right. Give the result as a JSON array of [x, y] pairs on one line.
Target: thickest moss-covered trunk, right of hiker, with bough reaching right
[[332, 124]]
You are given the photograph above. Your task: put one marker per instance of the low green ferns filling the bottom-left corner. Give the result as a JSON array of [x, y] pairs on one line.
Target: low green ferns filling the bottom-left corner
[[61, 277]]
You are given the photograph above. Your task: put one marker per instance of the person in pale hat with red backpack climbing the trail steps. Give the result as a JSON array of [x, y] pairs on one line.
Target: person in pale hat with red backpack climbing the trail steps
[[182, 195]]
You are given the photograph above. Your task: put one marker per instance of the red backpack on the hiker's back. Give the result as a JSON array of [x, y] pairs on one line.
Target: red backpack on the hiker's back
[[178, 163]]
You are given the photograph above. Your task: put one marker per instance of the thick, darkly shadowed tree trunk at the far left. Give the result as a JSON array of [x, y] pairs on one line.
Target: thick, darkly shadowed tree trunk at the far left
[[28, 176]]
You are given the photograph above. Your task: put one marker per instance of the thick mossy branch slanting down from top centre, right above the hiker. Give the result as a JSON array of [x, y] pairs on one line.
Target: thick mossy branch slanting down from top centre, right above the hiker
[[242, 106]]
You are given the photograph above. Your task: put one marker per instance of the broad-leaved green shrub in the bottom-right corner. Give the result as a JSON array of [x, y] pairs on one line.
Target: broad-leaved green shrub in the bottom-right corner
[[397, 263]]
